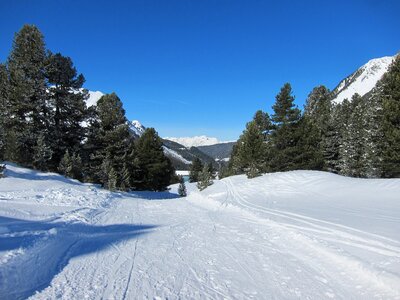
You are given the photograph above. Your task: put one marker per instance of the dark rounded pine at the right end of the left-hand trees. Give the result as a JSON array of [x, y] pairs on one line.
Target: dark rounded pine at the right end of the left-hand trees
[[156, 170]]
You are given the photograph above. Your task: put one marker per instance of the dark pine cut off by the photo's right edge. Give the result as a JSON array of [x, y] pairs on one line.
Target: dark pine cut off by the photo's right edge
[[390, 96]]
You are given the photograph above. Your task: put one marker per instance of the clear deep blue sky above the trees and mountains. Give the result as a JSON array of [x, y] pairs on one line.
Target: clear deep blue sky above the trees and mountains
[[204, 67]]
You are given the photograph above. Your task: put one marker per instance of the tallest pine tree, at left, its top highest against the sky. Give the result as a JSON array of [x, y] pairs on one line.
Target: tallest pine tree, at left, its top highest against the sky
[[27, 96]]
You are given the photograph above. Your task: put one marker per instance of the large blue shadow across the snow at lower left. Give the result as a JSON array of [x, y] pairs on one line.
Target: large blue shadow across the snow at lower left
[[50, 248]]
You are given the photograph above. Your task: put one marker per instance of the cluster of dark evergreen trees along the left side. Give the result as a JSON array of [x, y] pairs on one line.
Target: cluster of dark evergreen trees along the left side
[[45, 124]]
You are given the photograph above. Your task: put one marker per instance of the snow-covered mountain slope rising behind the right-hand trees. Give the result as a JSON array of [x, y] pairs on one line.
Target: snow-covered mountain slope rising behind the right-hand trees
[[363, 80]]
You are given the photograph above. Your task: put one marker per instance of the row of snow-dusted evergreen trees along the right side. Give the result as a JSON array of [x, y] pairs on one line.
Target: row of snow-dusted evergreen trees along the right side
[[359, 137]]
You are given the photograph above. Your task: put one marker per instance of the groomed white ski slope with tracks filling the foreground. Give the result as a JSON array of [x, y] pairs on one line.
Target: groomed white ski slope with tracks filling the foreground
[[292, 235]]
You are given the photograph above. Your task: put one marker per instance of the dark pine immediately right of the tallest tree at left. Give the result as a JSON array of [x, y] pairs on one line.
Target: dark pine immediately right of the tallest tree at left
[[67, 102]]
